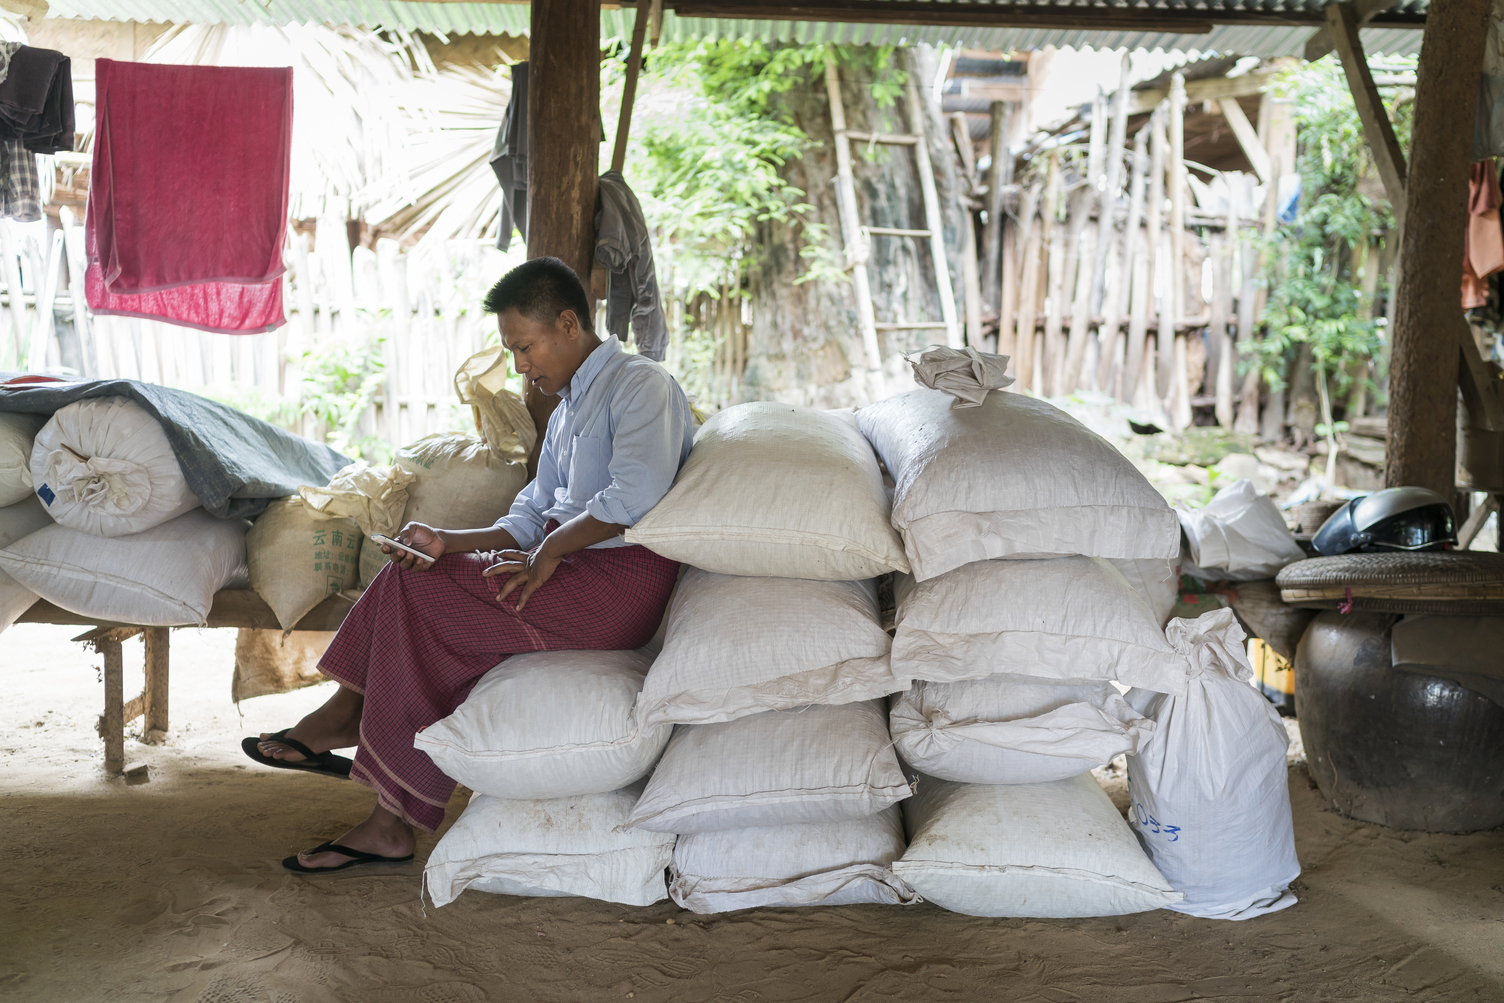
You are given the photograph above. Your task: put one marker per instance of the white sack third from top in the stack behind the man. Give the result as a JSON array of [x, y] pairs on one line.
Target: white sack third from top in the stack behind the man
[[781, 768]]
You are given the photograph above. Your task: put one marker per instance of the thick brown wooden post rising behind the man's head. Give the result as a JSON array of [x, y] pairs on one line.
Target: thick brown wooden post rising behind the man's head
[[563, 150]]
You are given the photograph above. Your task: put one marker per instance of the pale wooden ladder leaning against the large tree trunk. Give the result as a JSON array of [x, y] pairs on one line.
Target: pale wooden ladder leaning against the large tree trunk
[[858, 237]]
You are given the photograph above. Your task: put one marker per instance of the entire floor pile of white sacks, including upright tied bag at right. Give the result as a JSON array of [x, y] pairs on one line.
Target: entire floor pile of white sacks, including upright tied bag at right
[[781, 750]]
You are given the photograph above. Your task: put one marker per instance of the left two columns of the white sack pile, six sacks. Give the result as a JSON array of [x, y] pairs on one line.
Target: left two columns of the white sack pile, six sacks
[[777, 784]]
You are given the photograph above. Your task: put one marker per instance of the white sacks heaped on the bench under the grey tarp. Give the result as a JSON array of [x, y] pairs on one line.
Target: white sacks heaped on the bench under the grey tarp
[[100, 520]]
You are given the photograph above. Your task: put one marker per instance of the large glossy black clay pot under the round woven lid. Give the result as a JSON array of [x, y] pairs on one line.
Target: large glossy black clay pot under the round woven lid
[[1395, 748]]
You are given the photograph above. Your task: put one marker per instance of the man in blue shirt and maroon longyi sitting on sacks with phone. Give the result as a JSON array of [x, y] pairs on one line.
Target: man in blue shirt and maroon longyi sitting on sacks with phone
[[551, 575]]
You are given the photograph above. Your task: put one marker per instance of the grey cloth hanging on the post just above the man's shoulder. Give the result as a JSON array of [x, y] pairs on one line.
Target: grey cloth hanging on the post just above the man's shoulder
[[625, 250]]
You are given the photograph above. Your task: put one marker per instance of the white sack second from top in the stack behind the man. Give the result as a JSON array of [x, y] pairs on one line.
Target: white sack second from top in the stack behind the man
[[739, 646]]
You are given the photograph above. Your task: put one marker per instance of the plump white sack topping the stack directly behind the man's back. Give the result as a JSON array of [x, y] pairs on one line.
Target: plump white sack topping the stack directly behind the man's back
[[777, 491]]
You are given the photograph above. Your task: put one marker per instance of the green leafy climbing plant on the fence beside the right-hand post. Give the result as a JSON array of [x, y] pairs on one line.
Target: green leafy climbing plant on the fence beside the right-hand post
[[1315, 265]]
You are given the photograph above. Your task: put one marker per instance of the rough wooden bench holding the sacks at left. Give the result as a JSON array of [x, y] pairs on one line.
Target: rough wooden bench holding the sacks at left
[[232, 608]]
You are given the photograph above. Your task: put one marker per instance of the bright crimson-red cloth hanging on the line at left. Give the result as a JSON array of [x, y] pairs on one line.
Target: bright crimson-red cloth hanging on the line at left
[[189, 195]]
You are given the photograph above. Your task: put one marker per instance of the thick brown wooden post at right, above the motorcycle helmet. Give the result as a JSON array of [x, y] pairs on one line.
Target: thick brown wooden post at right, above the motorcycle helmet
[[1424, 362]]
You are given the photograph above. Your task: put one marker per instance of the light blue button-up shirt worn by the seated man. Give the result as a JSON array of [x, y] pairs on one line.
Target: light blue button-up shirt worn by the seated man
[[613, 447]]
